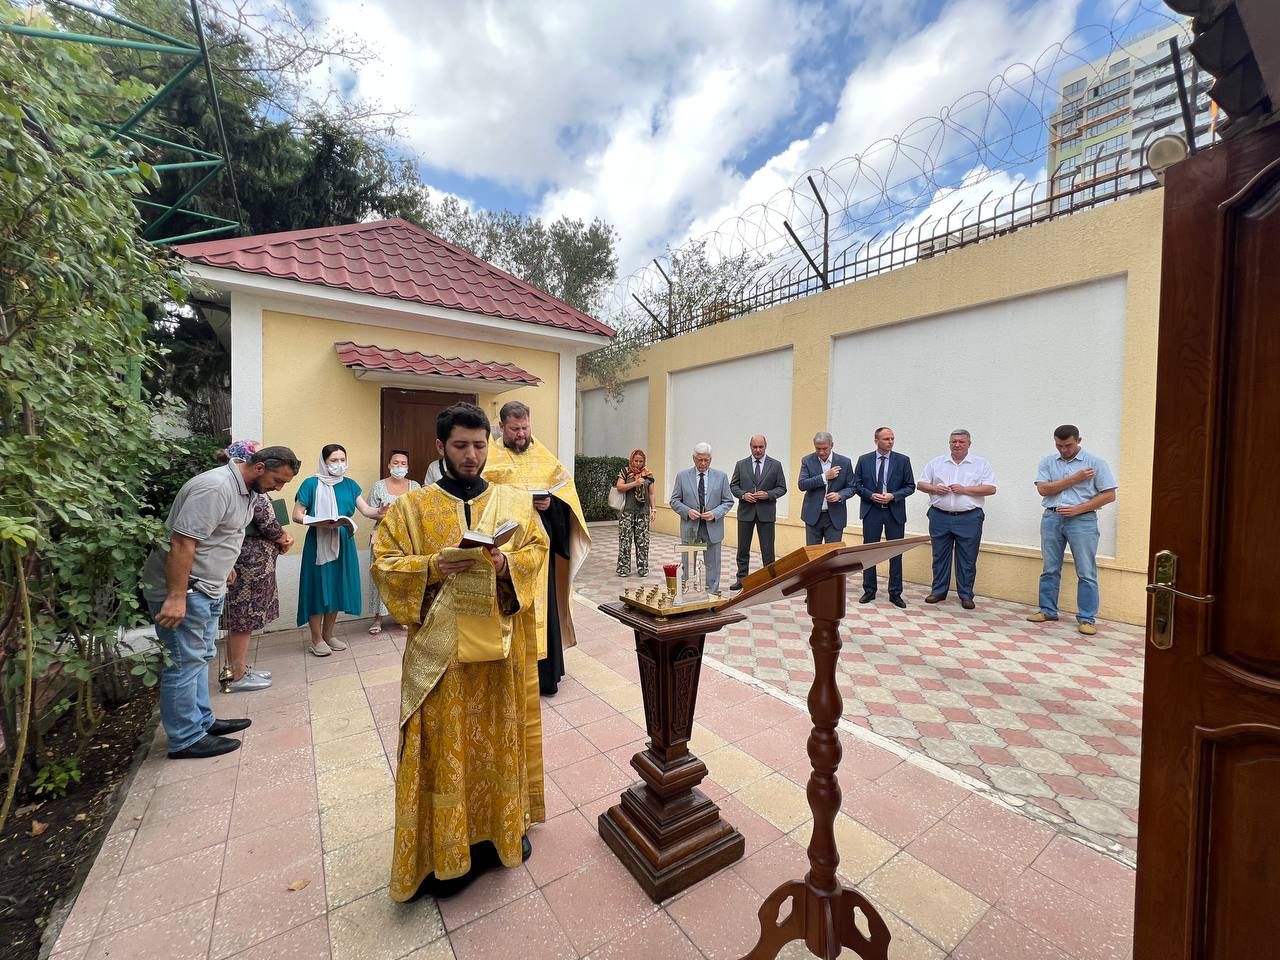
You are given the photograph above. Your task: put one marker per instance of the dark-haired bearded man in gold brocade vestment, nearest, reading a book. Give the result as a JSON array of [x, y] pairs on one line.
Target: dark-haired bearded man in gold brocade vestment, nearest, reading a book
[[469, 781]]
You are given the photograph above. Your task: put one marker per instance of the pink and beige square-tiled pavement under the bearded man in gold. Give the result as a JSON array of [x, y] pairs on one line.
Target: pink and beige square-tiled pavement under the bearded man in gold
[[281, 851]]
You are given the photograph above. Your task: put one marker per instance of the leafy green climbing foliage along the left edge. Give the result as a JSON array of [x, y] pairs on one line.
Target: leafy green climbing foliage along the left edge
[[76, 436]]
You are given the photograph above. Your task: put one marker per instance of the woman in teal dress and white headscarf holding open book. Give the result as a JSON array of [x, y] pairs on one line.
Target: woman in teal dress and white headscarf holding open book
[[330, 582]]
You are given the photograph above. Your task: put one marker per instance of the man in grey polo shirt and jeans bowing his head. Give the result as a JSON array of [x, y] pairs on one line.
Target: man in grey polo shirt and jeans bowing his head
[[185, 587]]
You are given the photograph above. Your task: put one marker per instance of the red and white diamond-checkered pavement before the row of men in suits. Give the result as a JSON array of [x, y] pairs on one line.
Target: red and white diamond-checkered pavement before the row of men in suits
[[1040, 714]]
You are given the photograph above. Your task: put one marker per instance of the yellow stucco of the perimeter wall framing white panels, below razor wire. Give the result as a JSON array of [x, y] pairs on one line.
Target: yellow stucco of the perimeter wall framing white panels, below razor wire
[[1122, 239]]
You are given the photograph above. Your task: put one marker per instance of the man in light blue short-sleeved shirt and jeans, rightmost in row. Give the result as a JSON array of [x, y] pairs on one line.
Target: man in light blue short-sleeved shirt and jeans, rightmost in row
[[1075, 487]]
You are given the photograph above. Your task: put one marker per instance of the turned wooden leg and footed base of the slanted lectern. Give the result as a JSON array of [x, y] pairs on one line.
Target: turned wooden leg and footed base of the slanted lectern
[[824, 913]]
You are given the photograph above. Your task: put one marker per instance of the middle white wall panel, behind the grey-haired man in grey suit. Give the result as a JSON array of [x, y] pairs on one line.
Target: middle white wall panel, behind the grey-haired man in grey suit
[[728, 404]]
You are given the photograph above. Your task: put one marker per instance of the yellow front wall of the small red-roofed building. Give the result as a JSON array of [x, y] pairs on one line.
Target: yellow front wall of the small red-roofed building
[[310, 399]]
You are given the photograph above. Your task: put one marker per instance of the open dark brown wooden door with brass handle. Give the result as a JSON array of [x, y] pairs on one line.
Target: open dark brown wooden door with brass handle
[[1209, 822]]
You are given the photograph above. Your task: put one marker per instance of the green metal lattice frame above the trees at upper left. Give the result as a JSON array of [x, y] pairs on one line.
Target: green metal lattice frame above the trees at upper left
[[196, 57]]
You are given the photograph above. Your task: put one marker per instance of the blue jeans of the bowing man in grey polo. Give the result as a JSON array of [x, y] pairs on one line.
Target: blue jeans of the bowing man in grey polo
[[185, 708]]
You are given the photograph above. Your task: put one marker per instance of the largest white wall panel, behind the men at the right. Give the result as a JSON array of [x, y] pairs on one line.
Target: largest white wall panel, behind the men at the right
[[1009, 373]]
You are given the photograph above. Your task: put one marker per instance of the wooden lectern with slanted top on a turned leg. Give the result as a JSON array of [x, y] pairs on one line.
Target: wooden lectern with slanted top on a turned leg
[[824, 913]]
